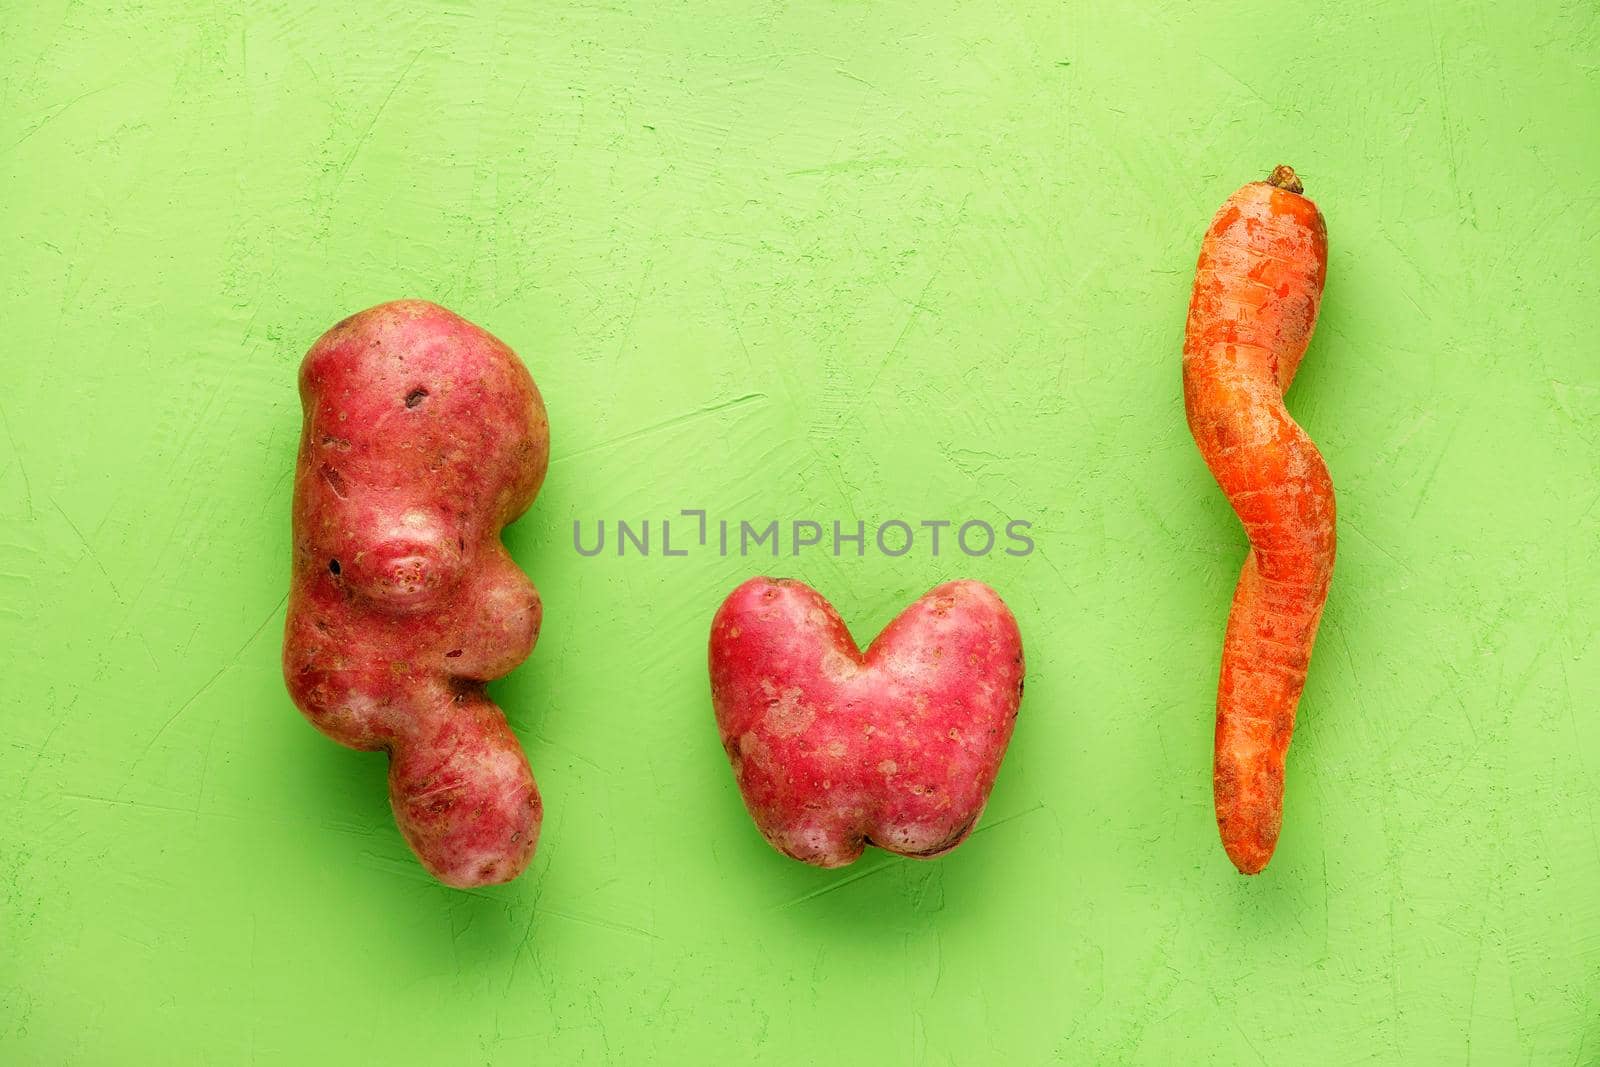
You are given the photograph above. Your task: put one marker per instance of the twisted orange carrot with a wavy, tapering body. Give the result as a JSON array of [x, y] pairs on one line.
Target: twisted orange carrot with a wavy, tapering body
[[1258, 286]]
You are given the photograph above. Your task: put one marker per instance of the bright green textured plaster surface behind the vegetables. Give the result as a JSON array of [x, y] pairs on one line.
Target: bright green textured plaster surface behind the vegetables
[[810, 262]]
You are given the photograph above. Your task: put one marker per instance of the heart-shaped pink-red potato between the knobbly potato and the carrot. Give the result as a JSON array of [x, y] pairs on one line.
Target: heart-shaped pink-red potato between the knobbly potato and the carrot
[[836, 749]]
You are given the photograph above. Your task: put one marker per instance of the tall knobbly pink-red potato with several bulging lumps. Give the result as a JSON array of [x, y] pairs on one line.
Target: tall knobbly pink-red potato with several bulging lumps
[[423, 439]]
